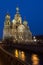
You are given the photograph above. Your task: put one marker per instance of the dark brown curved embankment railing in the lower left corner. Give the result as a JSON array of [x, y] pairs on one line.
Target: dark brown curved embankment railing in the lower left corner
[[8, 59]]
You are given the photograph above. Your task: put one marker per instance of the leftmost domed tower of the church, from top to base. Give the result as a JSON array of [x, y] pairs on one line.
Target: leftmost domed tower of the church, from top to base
[[6, 30]]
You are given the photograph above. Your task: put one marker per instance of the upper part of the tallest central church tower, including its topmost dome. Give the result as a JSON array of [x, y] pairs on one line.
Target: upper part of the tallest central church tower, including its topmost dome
[[17, 18]]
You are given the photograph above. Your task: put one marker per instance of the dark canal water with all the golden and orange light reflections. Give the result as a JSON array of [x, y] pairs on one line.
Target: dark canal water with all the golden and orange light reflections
[[28, 56]]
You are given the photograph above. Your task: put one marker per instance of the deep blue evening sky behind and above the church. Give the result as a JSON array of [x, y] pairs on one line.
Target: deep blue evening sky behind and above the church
[[31, 9]]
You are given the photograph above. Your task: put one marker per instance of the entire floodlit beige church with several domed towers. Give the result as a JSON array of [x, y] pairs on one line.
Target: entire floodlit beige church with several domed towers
[[17, 29]]
